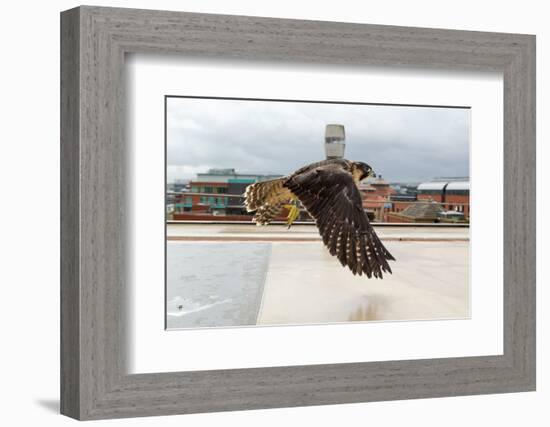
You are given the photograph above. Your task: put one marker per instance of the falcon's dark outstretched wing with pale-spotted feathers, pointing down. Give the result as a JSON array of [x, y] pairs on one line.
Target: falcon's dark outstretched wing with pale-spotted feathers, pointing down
[[331, 197]]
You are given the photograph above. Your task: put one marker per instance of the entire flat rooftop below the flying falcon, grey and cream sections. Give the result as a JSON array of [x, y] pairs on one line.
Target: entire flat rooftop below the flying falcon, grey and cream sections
[[224, 275]]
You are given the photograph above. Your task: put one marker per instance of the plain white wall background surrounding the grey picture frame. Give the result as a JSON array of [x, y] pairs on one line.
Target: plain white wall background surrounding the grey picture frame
[[29, 212]]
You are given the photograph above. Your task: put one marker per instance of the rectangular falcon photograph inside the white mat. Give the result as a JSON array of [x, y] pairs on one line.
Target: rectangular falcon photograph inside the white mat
[[297, 212]]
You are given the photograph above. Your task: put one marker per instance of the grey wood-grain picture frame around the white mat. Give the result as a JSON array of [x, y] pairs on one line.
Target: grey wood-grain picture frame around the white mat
[[94, 41]]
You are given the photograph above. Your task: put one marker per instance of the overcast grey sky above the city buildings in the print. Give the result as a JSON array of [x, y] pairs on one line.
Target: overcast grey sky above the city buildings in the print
[[407, 144]]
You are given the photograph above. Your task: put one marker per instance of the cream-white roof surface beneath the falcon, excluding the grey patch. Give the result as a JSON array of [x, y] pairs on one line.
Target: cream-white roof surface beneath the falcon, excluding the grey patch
[[321, 291]]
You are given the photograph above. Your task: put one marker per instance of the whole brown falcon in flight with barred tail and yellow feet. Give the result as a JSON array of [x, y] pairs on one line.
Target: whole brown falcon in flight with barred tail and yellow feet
[[328, 192]]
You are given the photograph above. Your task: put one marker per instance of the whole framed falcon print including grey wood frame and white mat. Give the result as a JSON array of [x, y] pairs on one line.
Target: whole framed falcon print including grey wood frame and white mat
[[262, 213]]
